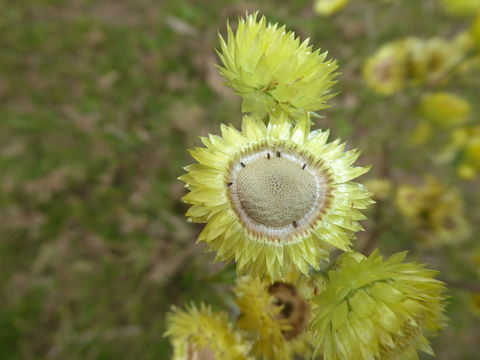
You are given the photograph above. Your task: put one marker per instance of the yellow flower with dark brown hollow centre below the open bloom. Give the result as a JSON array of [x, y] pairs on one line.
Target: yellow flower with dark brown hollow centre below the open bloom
[[275, 318]]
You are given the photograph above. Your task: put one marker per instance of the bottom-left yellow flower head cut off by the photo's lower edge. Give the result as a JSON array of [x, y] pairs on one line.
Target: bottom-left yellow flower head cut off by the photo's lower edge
[[199, 333]]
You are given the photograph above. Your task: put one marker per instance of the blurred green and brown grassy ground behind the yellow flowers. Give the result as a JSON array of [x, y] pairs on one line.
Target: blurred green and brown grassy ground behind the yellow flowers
[[99, 101]]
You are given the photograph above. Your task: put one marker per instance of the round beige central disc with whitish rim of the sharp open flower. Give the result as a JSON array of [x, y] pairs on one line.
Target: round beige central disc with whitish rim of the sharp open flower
[[278, 193]]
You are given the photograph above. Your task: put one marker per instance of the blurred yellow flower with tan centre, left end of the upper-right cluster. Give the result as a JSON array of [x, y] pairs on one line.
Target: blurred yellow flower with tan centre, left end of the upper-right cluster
[[384, 71]]
